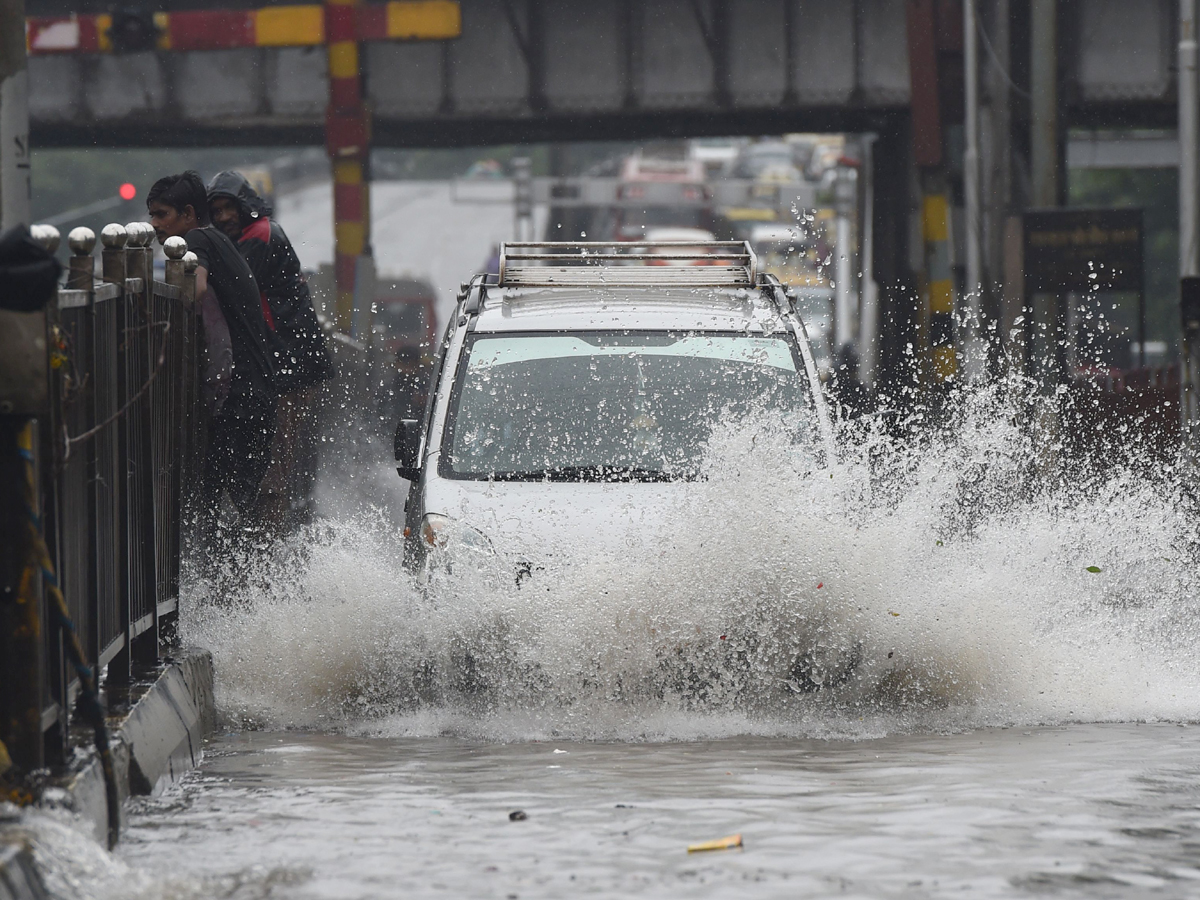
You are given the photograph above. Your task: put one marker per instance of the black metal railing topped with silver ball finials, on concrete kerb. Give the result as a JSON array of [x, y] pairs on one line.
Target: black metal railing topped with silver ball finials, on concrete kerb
[[119, 454]]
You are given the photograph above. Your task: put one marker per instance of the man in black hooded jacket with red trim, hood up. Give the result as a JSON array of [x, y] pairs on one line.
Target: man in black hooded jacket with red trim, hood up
[[245, 218]]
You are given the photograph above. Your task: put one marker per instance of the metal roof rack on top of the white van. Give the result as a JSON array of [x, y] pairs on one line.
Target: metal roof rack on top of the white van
[[551, 265]]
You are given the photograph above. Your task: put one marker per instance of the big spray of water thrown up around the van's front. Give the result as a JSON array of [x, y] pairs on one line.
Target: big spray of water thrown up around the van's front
[[941, 580]]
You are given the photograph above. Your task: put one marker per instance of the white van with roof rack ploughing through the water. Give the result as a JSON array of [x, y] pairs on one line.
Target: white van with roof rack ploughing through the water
[[575, 394]]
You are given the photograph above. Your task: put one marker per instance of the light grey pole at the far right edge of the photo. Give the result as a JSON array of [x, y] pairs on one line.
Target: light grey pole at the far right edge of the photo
[[1190, 225]]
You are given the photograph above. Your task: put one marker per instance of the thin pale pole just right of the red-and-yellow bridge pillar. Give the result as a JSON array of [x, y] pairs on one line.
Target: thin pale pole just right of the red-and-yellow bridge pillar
[[976, 357]]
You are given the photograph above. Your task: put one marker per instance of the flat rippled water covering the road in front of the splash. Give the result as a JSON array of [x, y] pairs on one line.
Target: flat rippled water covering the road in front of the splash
[[1081, 811]]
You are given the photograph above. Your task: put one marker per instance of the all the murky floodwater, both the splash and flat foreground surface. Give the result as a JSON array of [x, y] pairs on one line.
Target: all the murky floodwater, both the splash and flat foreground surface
[[955, 665]]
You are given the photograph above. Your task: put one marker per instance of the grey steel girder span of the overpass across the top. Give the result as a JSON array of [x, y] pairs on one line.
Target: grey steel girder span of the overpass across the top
[[559, 70]]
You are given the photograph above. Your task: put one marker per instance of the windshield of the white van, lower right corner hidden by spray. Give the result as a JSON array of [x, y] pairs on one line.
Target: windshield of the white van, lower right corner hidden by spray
[[615, 406]]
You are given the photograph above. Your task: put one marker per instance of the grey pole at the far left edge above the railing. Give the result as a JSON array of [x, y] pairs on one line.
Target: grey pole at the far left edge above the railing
[[15, 188]]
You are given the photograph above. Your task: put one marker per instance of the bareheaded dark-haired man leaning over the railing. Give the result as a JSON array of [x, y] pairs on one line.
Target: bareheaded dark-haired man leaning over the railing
[[238, 343]]
